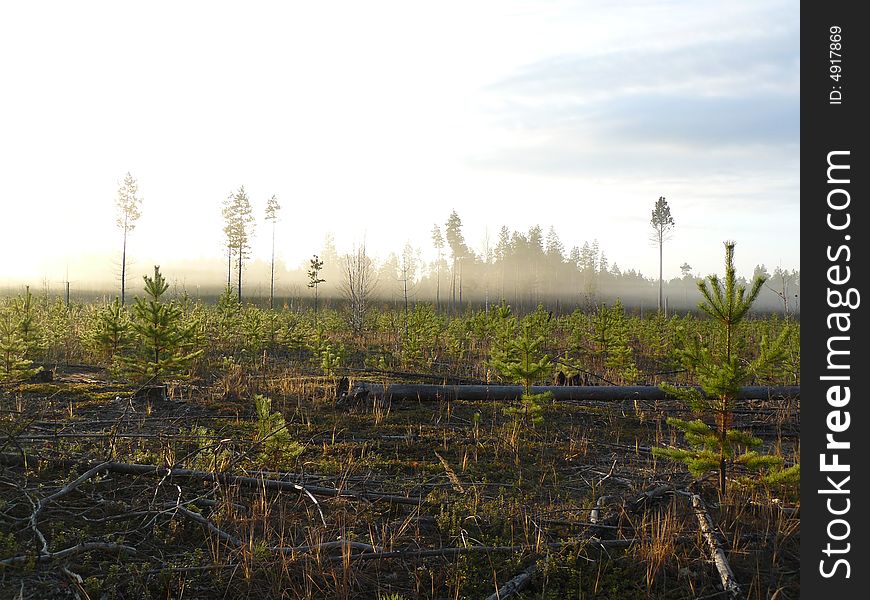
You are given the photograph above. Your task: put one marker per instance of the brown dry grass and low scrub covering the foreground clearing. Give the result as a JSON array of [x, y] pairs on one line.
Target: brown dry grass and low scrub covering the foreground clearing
[[483, 481]]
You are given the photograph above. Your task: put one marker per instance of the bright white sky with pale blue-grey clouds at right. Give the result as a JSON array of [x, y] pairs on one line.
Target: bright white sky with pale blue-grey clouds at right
[[373, 120]]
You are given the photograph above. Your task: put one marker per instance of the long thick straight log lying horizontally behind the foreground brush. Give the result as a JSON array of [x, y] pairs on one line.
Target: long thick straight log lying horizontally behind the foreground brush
[[365, 390]]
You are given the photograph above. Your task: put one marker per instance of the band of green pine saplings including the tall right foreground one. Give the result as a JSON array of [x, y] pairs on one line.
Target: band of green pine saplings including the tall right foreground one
[[160, 338]]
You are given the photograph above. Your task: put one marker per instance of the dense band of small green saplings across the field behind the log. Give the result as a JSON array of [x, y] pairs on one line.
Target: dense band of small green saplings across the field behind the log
[[605, 345]]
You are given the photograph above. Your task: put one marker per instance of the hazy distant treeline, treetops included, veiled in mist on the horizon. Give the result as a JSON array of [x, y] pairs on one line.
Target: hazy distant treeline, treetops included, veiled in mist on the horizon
[[523, 268]]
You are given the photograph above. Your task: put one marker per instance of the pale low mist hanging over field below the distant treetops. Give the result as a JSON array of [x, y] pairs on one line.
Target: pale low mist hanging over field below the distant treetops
[[555, 285]]
